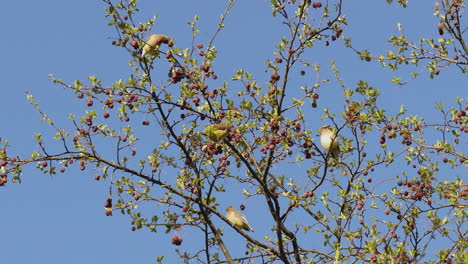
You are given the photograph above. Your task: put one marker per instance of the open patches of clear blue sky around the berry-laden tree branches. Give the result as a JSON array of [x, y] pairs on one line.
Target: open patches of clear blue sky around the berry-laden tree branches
[[61, 219]]
